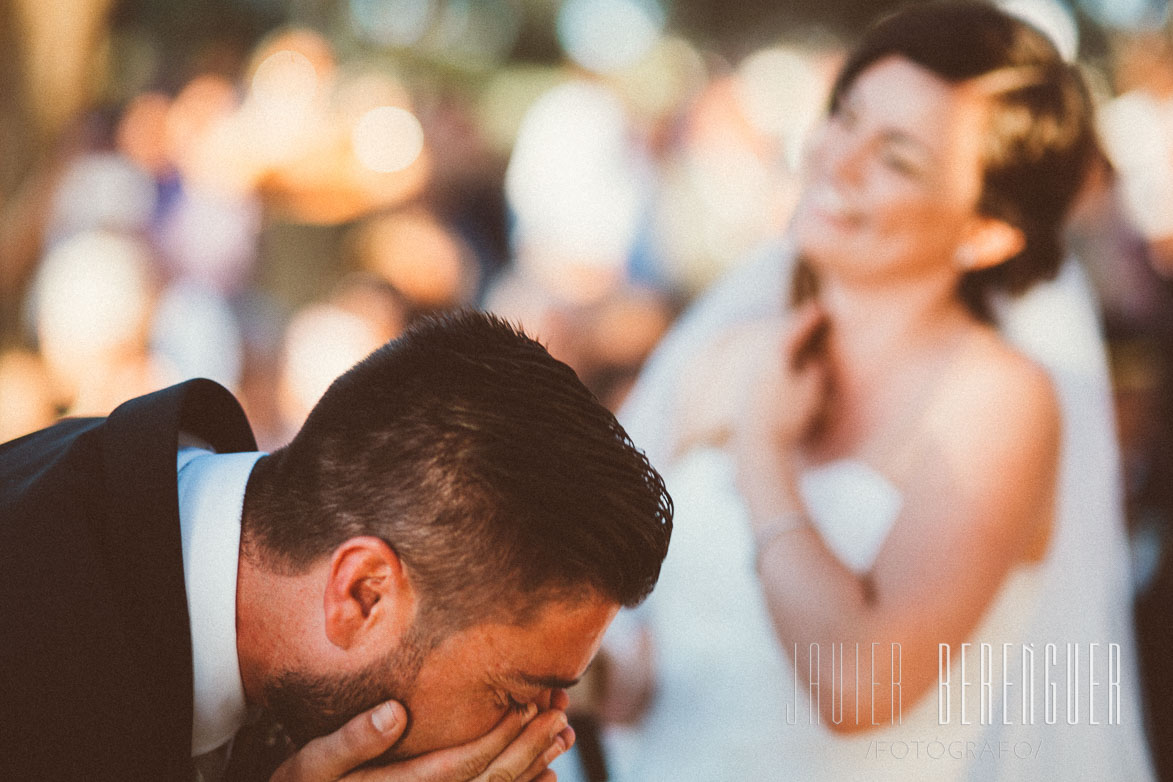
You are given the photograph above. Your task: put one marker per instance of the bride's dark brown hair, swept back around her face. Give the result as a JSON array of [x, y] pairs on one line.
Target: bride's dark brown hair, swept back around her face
[[1041, 139]]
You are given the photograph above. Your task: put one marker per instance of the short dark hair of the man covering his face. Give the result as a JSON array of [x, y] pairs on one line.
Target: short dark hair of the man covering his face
[[498, 479]]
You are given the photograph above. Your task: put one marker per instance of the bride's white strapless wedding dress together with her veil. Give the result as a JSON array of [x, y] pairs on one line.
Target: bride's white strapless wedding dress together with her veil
[[727, 706]]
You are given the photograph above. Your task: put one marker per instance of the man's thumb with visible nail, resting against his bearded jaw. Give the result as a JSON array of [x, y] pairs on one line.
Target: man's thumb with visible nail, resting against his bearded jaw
[[329, 758]]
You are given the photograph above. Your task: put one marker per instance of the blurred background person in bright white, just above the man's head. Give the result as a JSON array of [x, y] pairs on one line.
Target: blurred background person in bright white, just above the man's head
[[580, 187]]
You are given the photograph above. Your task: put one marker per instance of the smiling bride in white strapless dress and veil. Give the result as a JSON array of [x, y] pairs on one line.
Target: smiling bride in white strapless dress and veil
[[899, 549]]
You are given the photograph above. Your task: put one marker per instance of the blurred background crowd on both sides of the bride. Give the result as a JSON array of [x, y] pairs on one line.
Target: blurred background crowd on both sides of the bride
[[268, 222]]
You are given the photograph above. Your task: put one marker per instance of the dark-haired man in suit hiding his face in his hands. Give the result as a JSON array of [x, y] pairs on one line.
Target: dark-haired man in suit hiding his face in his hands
[[416, 577]]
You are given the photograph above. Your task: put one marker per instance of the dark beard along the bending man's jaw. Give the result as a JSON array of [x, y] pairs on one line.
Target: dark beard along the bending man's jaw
[[309, 705]]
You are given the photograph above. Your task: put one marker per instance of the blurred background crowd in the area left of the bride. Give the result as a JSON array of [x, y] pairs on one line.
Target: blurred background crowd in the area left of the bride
[[268, 229]]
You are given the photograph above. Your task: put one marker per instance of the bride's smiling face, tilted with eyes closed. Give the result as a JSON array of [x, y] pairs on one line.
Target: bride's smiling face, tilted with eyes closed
[[894, 175]]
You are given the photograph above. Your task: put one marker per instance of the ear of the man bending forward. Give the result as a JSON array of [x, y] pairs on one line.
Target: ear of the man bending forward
[[368, 594]]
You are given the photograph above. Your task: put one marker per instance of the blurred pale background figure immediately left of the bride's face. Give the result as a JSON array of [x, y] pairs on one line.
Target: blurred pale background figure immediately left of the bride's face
[[730, 179]]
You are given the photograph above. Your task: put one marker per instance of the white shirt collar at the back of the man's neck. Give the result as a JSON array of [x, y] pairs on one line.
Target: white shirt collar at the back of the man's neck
[[212, 498]]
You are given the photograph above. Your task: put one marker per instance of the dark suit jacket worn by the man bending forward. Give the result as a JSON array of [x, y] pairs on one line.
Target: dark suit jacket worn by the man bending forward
[[96, 649]]
